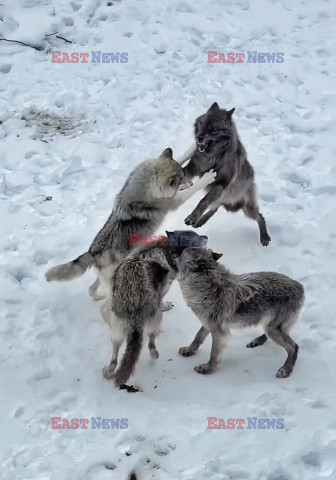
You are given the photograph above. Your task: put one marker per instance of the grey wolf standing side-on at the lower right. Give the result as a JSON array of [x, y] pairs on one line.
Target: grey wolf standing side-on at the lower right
[[222, 300]]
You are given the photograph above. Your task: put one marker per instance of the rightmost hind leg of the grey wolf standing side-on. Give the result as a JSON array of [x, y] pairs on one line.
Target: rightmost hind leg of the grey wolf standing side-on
[[278, 333]]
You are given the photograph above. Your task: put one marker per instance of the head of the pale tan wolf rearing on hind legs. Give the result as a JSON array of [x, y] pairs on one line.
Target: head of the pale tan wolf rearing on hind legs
[[169, 176]]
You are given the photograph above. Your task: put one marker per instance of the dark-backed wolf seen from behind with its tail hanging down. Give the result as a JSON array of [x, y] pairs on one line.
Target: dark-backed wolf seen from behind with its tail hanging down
[[133, 308]]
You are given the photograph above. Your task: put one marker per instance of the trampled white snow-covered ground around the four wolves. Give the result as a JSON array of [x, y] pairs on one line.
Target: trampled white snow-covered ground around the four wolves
[[73, 132]]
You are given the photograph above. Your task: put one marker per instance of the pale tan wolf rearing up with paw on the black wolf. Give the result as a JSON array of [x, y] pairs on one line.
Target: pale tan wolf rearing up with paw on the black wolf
[[153, 188]]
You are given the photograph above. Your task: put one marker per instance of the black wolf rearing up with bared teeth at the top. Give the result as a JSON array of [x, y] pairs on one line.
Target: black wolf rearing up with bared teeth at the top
[[219, 147]]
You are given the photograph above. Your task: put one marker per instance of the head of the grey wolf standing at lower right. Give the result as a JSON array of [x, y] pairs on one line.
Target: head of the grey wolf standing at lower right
[[195, 259]]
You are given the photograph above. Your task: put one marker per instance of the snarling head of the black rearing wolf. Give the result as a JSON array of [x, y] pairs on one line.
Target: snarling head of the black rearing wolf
[[214, 130]]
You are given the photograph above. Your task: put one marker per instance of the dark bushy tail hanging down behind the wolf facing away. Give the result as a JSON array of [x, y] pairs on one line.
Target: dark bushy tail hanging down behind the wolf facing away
[[130, 358]]
